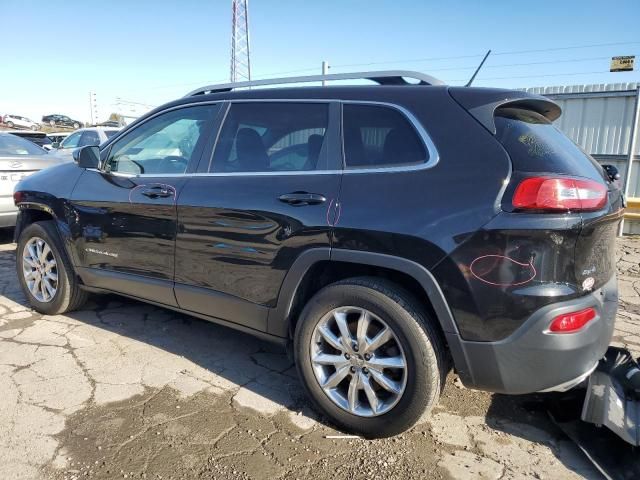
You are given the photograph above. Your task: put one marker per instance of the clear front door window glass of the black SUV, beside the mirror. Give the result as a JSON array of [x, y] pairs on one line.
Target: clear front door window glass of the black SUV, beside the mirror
[[162, 145]]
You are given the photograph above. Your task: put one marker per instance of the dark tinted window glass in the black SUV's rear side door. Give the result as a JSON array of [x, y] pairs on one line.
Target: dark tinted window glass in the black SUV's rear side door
[[273, 137]]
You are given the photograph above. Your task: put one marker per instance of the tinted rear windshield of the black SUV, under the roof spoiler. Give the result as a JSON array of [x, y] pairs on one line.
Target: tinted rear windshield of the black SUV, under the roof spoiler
[[536, 146]]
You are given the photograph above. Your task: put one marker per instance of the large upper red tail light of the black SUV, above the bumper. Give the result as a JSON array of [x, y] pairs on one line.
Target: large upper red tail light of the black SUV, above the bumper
[[559, 194]]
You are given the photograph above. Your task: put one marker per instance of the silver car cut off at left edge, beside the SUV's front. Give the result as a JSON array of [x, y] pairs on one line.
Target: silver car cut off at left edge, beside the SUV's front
[[18, 159]]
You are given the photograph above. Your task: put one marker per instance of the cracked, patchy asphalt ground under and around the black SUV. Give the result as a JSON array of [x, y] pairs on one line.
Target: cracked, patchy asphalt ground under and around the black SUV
[[126, 390]]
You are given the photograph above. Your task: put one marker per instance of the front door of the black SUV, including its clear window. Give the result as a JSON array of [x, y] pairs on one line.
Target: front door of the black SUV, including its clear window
[[125, 213]]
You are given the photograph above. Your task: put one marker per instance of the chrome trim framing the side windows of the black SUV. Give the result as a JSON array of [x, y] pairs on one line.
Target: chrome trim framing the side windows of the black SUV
[[433, 160]]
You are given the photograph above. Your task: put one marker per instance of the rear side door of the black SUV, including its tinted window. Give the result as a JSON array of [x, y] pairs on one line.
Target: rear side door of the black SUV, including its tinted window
[[266, 194]]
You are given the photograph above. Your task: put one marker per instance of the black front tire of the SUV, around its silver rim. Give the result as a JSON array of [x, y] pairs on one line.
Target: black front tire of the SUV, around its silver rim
[[68, 296]]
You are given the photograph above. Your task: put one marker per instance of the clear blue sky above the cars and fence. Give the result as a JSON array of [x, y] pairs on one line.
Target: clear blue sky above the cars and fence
[[144, 52]]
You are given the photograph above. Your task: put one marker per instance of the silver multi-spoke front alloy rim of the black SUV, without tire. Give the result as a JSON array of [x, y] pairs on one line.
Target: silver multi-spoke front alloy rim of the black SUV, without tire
[[40, 269]]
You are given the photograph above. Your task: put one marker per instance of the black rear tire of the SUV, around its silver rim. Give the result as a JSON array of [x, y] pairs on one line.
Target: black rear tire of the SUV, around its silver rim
[[422, 344]]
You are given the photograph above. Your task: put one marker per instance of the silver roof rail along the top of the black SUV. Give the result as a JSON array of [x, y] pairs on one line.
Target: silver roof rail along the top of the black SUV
[[384, 77]]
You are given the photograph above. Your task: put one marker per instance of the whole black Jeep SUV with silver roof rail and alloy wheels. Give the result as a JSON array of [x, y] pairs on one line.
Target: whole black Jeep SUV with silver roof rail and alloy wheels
[[387, 231]]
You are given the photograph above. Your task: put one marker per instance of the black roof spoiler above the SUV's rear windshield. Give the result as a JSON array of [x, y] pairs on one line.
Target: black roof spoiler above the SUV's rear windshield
[[483, 103]]
